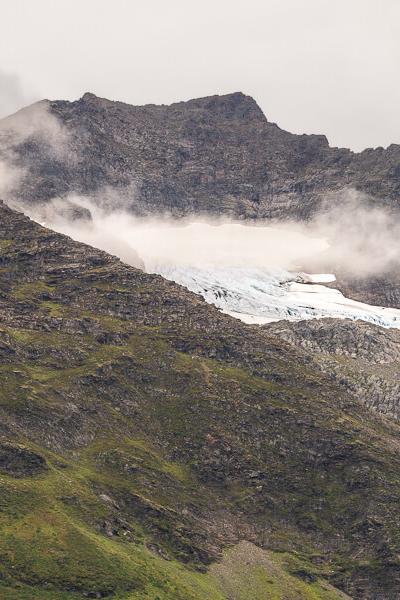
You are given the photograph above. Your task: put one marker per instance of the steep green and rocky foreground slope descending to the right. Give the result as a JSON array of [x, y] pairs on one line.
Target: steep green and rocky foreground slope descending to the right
[[143, 433]]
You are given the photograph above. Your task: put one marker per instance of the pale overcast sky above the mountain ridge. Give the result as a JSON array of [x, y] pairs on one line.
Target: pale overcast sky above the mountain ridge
[[314, 66]]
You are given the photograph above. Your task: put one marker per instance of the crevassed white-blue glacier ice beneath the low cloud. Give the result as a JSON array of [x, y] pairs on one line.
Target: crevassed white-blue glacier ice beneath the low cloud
[[258, 296]]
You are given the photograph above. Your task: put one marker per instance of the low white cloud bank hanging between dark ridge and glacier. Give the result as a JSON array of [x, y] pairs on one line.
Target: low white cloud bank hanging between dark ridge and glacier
[[349, 235]]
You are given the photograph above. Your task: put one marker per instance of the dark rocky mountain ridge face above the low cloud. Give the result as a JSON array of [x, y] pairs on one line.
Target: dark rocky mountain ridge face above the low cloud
[[217, 155]]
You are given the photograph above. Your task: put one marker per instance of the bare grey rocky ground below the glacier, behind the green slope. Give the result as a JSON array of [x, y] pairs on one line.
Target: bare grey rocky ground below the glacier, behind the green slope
[[362, 357]]
